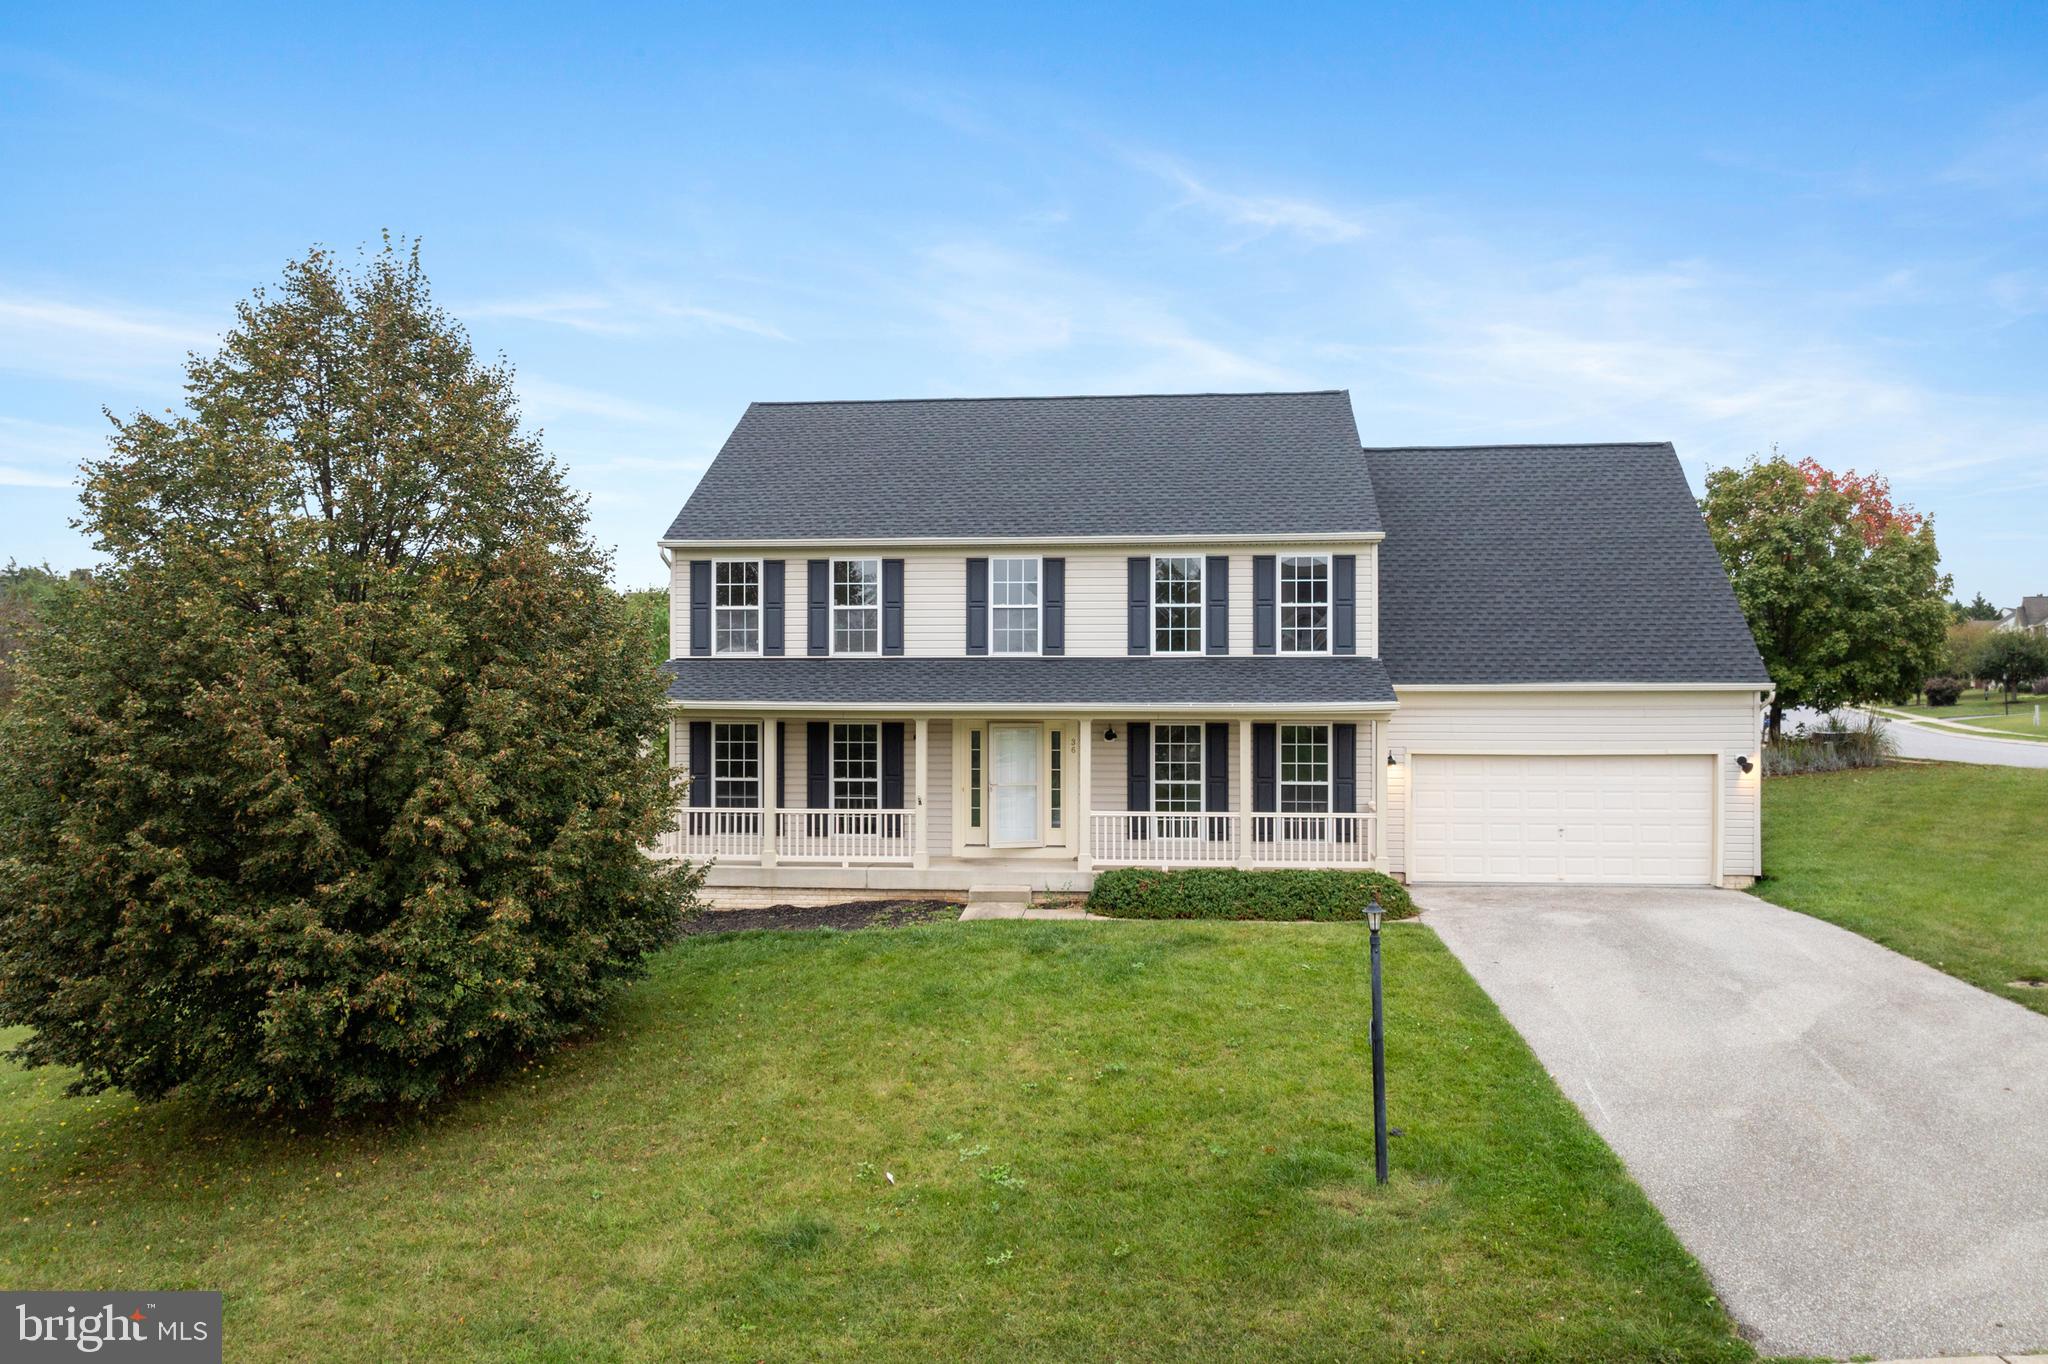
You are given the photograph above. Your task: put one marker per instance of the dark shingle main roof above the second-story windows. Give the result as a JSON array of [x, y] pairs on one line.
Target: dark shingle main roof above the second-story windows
[[1189, 464]]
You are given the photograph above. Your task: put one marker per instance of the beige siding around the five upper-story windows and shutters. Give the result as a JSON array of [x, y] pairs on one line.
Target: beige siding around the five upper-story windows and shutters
[[935, 595]]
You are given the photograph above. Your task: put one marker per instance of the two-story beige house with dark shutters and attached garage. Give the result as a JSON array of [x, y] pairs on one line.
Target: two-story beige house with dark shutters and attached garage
[[1011, 642]]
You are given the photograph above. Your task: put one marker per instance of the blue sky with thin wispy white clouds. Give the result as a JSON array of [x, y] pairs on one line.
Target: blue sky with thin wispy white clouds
[[1820, 228]]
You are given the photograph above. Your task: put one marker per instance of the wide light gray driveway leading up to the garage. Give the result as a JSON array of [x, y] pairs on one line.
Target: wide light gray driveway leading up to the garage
[[1852, 1144]]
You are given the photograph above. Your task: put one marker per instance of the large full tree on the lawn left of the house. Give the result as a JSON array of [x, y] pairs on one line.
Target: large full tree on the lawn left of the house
[[333, 787]]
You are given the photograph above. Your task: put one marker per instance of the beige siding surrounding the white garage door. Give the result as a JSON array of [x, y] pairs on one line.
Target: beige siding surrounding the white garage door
[[1717, 724]]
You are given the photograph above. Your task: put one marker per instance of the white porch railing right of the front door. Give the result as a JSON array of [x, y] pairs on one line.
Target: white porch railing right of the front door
[[1144, 839]]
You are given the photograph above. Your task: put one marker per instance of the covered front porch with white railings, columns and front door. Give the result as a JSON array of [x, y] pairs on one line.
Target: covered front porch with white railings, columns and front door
[[962, 802]]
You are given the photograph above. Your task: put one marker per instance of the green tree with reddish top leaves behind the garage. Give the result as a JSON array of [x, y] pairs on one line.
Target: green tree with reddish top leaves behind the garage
[[1840, 585]]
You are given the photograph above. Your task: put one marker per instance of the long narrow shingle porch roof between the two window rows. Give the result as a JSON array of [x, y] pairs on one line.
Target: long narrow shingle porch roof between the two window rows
[[1029, 681]]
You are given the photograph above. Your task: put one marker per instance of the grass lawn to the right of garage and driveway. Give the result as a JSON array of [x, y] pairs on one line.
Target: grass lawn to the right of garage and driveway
[[1945, 863]]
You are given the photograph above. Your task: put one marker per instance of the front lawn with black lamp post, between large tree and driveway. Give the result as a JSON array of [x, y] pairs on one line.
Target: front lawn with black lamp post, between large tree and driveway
[[1107, 1142]]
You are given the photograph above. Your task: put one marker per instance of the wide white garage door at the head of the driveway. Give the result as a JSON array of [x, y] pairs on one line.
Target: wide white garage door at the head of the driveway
[[1619, 820]]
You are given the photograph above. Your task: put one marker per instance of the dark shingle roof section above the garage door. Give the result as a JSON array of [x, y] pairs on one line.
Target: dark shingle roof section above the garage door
[[1551, 564]]
